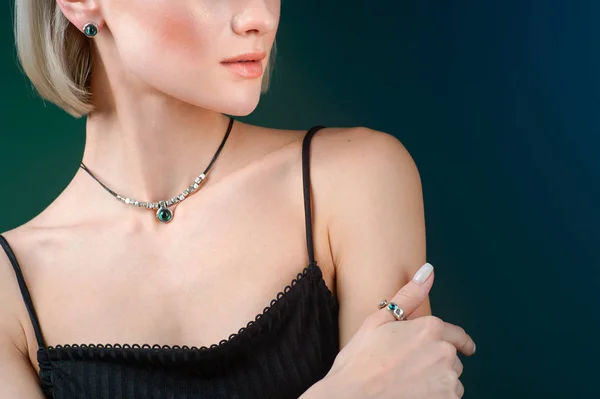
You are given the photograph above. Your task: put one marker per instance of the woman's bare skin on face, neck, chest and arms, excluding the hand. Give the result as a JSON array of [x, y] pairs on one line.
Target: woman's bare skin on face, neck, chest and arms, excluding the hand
[[103, 272]]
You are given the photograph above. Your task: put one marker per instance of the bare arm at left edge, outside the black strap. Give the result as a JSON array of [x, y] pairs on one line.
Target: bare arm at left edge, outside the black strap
[[18, 378]]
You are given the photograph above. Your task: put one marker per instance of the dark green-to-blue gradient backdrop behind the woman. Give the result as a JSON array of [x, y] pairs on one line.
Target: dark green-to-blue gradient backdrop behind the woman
[[498, 104]]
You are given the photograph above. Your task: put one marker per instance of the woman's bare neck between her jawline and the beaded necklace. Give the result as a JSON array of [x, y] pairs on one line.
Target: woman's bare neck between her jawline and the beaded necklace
[[153, 147]]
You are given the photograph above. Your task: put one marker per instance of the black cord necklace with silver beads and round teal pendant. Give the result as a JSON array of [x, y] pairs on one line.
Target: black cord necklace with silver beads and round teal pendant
[[163, 213]]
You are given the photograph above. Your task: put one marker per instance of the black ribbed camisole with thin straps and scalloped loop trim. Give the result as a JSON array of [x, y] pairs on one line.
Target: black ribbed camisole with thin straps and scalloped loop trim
[[287, 348]]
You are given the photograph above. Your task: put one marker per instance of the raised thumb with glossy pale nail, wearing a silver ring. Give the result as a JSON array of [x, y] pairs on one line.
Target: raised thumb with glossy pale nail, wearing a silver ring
[[413, 294]]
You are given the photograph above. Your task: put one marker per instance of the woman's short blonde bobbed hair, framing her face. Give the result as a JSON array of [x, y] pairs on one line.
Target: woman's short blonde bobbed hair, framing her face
[[58, 58]]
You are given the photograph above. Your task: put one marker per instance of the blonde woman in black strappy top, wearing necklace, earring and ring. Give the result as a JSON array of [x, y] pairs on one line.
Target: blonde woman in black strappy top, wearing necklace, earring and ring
[[195, 256]]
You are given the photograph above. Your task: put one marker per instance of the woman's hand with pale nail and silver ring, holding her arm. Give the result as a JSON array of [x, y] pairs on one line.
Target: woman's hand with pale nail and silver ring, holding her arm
[[410, 359]]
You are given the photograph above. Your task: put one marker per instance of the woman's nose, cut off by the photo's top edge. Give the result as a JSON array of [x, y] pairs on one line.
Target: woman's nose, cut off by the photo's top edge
[[255, 18]]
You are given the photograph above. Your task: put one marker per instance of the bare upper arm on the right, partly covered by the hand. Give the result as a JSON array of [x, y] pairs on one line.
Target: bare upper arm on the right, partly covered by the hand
[[376, 225]]
